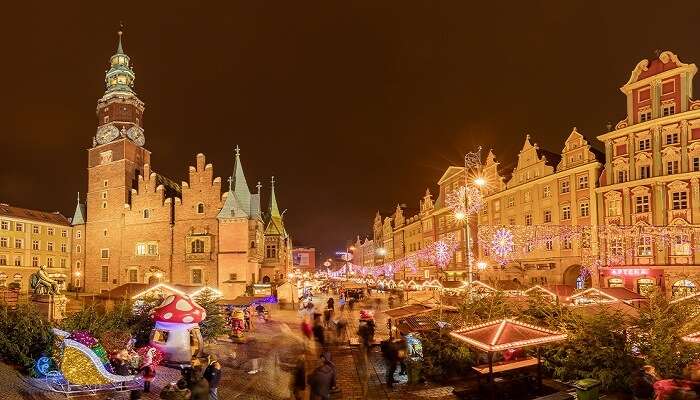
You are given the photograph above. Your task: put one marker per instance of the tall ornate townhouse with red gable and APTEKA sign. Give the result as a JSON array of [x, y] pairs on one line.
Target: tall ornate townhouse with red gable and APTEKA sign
[[651, 180]]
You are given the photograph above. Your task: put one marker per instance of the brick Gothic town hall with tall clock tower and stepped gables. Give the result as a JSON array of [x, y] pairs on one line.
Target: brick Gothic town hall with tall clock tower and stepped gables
[[138, 226]]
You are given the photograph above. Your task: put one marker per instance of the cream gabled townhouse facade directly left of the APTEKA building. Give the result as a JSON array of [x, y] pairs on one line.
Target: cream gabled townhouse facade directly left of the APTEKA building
[[545, 191]]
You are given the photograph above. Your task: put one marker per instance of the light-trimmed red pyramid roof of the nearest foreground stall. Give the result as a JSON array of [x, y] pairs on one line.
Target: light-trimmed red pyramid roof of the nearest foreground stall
[[505, 334]]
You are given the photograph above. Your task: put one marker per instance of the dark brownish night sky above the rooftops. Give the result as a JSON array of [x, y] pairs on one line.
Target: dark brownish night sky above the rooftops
[[354, 106]]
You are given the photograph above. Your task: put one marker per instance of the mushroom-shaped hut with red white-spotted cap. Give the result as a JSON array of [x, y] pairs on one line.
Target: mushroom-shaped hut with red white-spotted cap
[[176, 332]]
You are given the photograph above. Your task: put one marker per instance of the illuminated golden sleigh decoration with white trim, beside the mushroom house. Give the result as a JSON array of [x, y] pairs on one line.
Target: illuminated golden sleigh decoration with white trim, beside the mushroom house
[[80, 372]]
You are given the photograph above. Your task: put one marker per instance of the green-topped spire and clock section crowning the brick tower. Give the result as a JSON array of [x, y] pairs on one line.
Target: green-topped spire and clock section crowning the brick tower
[[119, 111]]
